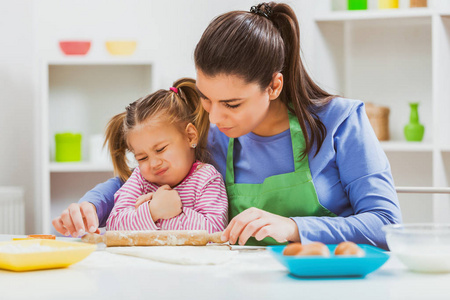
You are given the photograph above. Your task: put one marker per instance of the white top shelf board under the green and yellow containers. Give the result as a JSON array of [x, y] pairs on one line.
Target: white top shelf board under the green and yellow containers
[[338, 16]]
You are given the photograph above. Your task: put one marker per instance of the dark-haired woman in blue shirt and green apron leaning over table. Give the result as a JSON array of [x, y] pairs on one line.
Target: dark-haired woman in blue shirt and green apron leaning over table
[[299, 163]]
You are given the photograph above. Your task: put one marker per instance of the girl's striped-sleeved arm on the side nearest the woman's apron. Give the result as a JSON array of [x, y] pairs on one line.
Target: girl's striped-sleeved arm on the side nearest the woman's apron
[[209, 212]]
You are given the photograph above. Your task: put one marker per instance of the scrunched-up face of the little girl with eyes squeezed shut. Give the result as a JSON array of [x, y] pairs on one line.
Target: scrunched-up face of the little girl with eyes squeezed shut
[[165, 155]]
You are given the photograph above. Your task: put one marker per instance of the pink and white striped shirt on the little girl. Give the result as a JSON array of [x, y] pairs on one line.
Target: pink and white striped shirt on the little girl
[[202, 194]]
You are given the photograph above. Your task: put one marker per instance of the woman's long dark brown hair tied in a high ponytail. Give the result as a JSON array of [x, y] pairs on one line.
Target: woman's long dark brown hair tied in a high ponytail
[[254, 46]]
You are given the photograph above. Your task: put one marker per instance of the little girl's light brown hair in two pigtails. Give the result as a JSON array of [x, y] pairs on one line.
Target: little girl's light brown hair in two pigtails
[[180, 108]]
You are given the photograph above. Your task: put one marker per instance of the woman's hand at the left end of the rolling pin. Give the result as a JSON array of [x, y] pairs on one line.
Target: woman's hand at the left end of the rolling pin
[[76, 219]]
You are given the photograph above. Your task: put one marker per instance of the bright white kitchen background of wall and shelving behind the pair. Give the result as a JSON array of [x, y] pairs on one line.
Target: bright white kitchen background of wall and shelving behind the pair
[[390, 57]]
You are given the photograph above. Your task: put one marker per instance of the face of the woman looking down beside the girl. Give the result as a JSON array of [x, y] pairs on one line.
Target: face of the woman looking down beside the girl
[[235, 106]]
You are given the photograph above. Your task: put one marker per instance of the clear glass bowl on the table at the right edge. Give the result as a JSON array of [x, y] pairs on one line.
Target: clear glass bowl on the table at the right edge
[[420, 247]]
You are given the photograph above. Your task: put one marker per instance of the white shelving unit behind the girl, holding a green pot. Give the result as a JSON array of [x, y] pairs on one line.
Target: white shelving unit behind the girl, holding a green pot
[[81, 94]]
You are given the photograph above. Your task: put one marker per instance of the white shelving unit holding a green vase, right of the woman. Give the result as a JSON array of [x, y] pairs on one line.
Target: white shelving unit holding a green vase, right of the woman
[[391, 58]]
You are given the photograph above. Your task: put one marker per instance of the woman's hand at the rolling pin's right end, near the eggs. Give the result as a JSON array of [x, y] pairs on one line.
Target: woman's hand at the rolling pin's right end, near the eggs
[[260, 224]]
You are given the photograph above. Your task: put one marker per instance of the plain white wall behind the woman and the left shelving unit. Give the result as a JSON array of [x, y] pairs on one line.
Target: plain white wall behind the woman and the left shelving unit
[[166, 31]]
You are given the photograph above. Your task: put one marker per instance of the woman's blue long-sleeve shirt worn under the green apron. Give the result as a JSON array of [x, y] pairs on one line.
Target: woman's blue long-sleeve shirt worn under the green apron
[[351, 175]]
